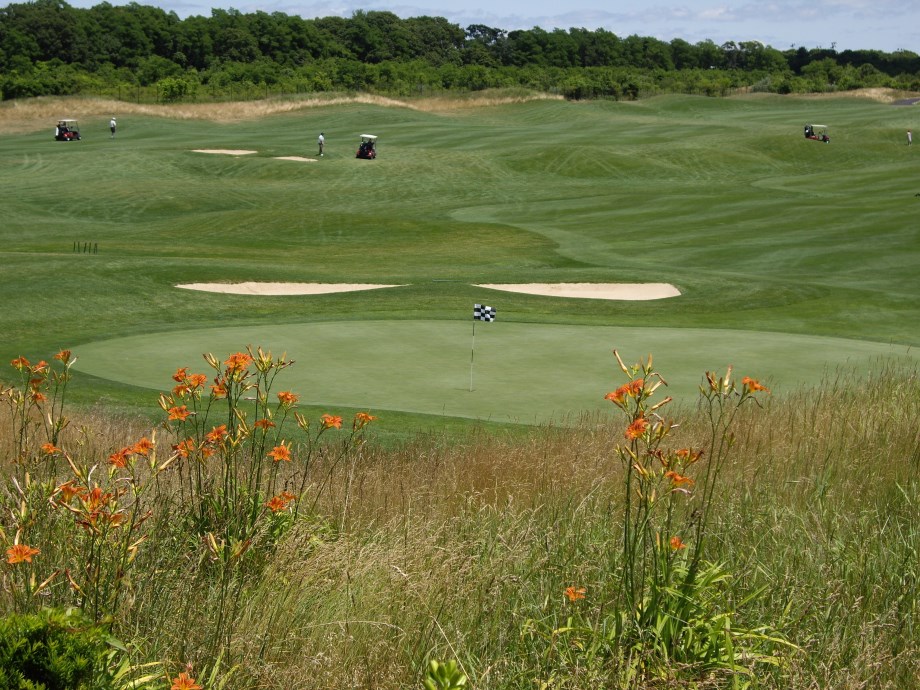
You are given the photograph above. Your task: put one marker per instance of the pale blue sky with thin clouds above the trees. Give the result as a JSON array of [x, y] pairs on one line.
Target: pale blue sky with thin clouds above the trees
[[886, 25]]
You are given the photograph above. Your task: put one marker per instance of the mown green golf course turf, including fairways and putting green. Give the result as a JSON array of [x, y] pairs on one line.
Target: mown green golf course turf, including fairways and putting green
[[793, 257]]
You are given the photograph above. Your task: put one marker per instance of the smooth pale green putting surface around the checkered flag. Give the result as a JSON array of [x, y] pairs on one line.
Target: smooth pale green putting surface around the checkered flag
[[521, 372]]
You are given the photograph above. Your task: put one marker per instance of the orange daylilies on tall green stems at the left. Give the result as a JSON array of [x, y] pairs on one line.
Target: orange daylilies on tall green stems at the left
[[91, 524]]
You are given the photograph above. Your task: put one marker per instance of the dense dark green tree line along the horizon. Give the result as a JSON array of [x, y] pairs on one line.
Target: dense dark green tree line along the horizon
[[48, 47]]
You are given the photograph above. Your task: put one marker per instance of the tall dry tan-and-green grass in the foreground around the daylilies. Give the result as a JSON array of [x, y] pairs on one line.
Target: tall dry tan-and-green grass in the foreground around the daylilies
[[443, 549]]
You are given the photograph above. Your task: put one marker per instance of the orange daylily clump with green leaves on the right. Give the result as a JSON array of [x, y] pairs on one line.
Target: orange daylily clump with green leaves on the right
[[668, 615]]
